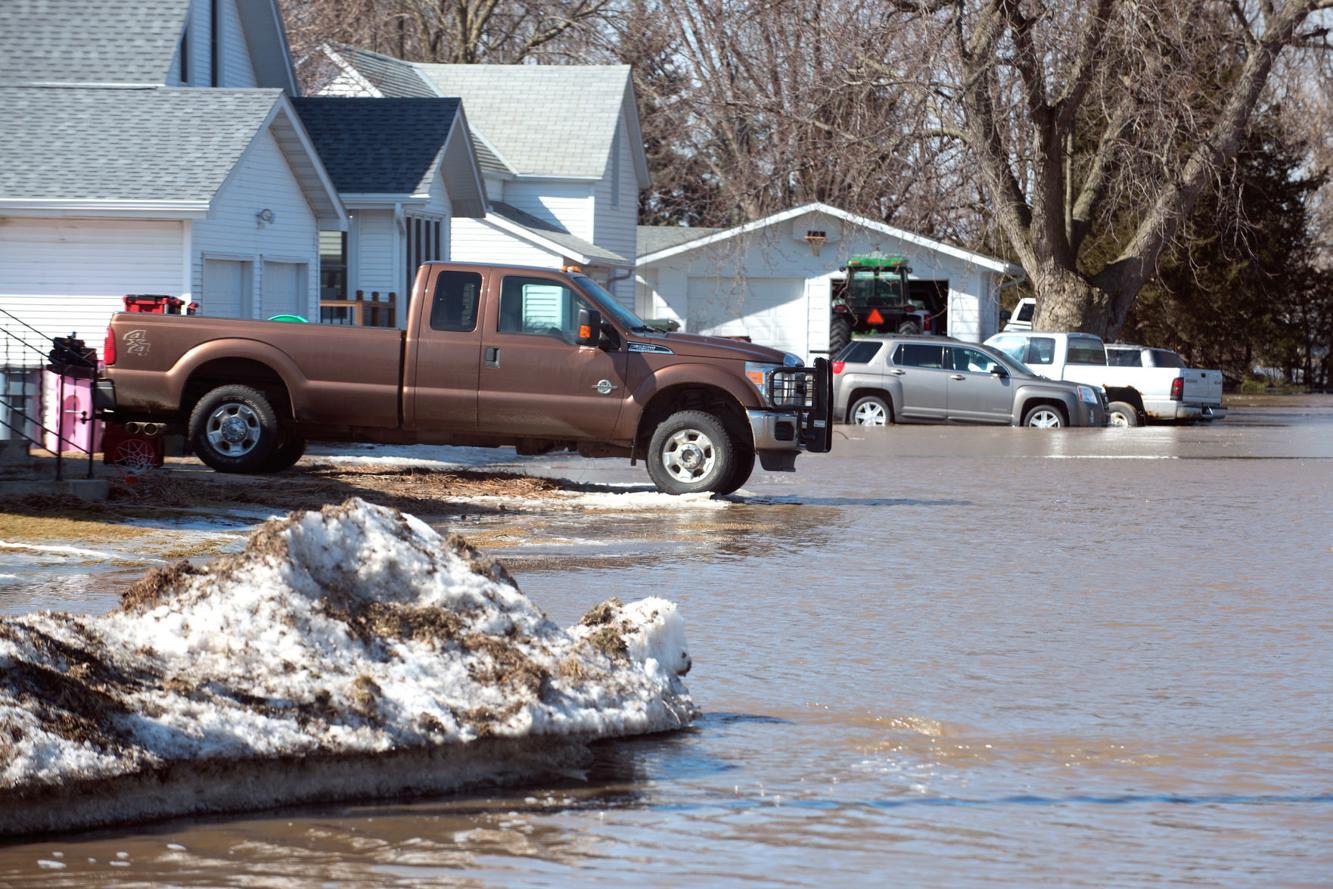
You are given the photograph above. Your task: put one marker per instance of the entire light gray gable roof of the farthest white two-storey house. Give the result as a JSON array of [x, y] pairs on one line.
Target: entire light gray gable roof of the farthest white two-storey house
[[555, 122]]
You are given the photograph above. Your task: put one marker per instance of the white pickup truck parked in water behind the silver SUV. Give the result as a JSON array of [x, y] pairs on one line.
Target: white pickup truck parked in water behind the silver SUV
[[1138, 393]]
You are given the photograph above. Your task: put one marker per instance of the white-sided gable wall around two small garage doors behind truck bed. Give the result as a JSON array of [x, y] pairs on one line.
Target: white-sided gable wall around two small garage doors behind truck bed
[[262, 181]]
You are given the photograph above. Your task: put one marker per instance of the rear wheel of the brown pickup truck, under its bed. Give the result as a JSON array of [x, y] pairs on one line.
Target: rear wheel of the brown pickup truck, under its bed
[[234, 430]]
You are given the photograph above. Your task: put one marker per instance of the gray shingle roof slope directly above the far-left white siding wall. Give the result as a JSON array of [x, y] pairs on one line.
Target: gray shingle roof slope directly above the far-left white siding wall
[[125, 145]]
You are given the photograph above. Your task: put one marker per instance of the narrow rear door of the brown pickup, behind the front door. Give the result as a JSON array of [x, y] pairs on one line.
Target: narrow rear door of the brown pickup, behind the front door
[[447, 350]]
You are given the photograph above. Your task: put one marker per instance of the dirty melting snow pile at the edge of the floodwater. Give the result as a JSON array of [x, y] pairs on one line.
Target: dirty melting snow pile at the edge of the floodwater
[[347, 652]]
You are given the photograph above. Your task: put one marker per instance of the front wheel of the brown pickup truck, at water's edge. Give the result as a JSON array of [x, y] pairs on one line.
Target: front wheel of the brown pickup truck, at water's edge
[[691, 452]]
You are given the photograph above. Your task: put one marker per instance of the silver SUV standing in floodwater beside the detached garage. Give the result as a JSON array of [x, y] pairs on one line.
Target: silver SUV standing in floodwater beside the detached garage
[[935, 379]]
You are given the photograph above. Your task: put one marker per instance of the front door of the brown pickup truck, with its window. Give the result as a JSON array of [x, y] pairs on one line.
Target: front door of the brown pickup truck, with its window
[[537, 381]]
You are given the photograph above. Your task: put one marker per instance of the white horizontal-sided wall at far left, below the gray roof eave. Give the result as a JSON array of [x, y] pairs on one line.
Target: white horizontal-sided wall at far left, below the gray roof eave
[[69, 275]]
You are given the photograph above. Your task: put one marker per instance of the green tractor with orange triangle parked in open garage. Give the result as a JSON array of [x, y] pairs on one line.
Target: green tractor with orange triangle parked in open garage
[[875, 298]]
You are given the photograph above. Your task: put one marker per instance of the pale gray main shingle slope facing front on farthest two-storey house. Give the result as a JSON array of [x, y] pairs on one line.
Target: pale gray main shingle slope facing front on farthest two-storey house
[[505, 102]]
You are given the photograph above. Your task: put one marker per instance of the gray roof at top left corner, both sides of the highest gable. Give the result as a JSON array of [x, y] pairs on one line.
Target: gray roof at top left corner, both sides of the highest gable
[[125, 42]]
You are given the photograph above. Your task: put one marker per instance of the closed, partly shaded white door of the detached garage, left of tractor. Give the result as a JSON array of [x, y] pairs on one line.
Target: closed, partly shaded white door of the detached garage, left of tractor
[[771, 311]]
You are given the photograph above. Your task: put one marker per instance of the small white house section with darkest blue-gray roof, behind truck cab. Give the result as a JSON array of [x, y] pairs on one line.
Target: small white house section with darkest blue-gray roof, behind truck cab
[[407, 173]]
